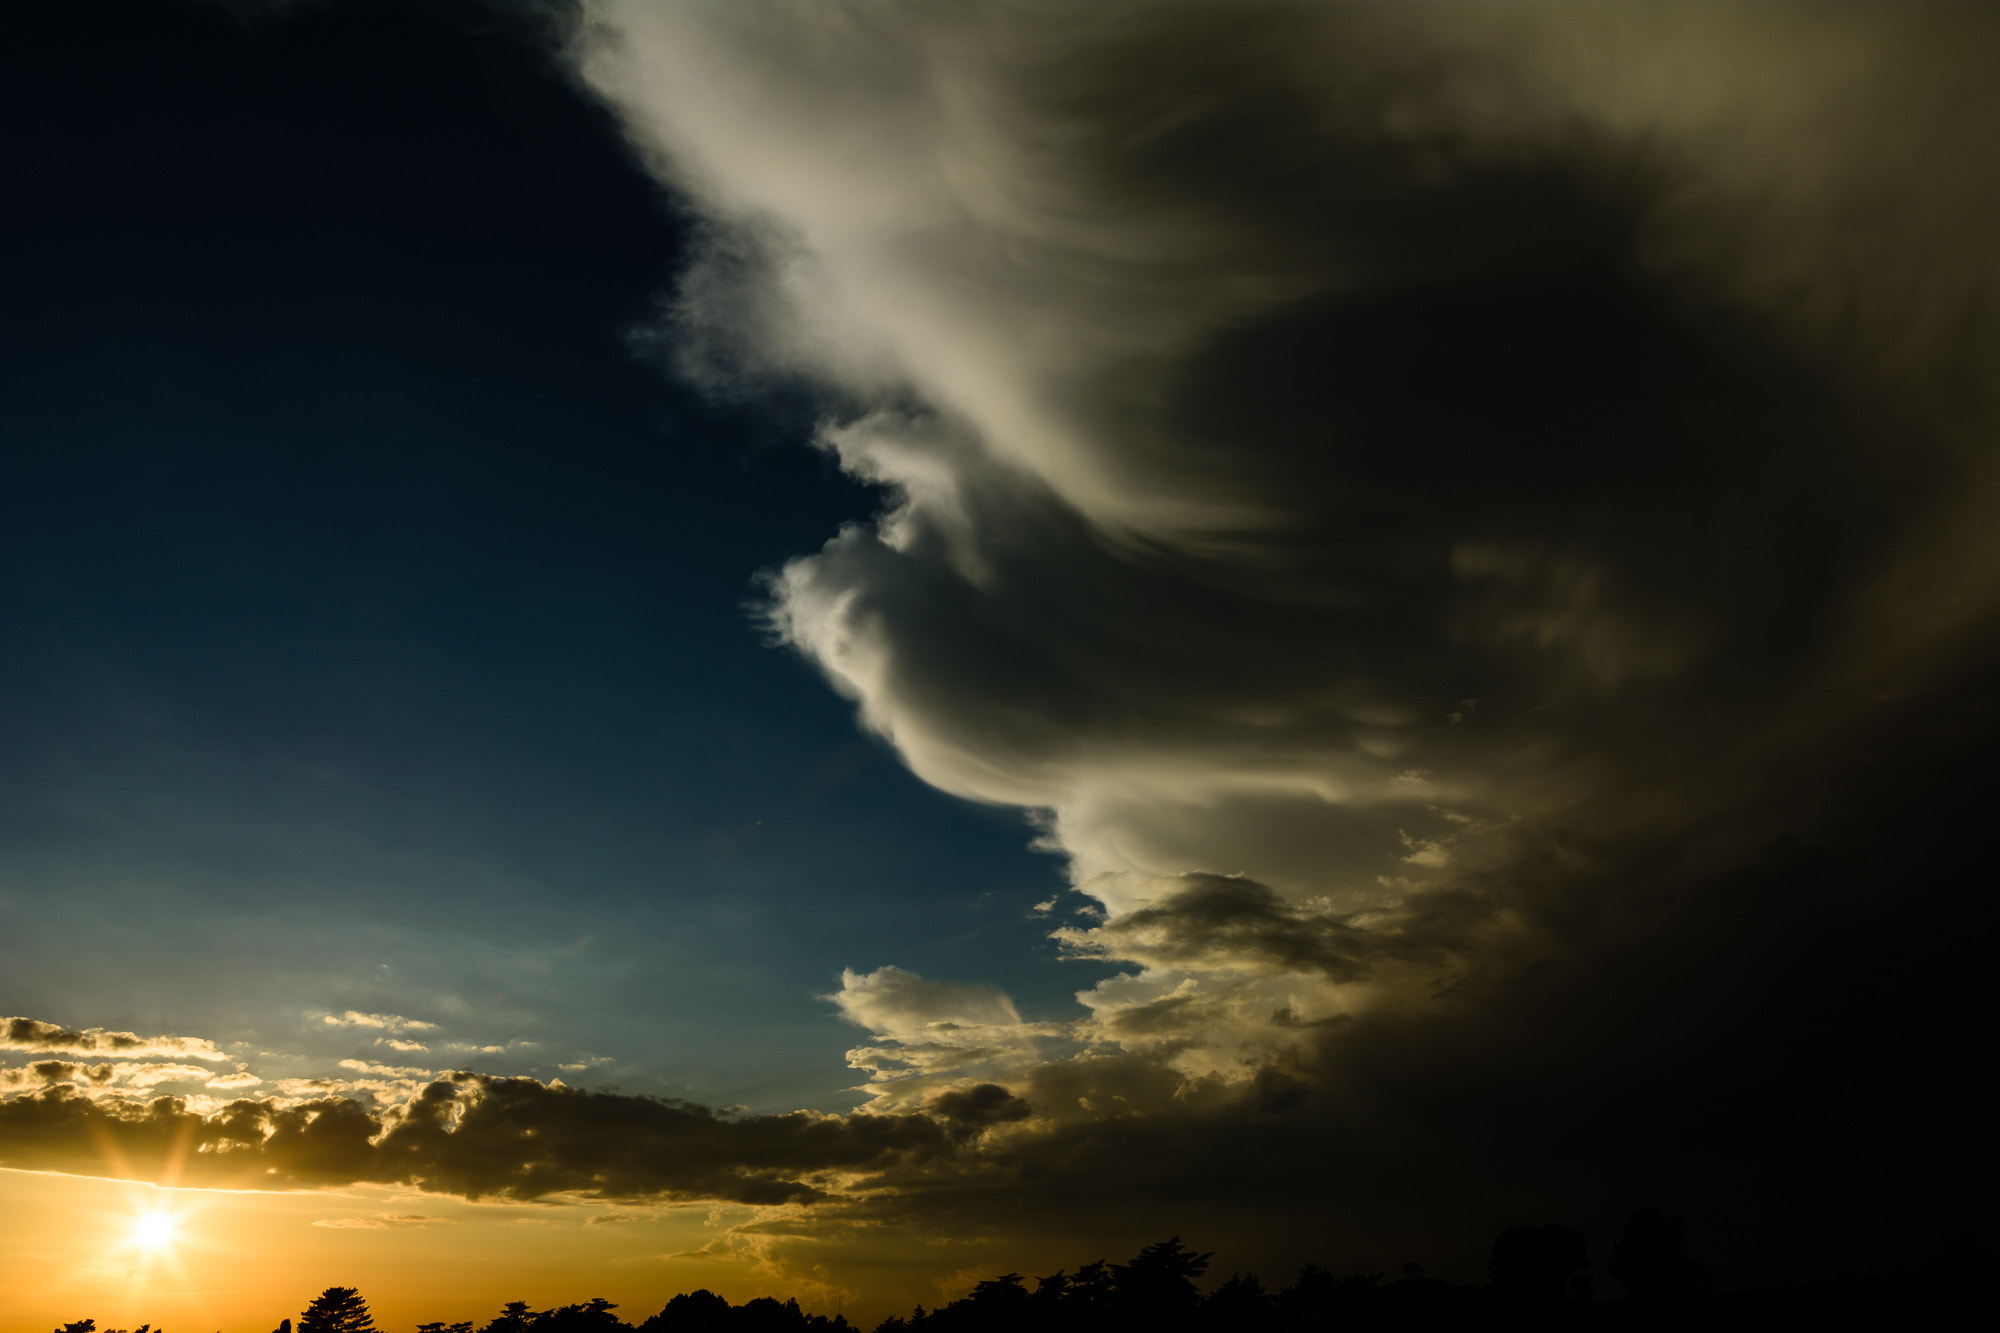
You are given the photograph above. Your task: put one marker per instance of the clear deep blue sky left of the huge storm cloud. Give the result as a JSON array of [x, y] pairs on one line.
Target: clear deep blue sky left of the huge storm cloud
[[385, 619]]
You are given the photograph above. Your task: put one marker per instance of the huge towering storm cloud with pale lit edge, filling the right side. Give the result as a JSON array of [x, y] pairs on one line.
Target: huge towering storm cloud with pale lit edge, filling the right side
[[1469, 527]]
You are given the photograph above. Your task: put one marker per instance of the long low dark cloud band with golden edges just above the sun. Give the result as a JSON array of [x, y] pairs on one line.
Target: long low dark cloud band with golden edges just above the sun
[[469, 1136]]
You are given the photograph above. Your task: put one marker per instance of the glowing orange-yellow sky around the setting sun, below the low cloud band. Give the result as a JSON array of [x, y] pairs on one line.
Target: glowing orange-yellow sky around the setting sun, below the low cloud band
[[239, 1262]]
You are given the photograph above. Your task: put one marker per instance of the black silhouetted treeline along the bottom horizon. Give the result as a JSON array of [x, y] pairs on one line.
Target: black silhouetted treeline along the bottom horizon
[[1537, 1278]]
